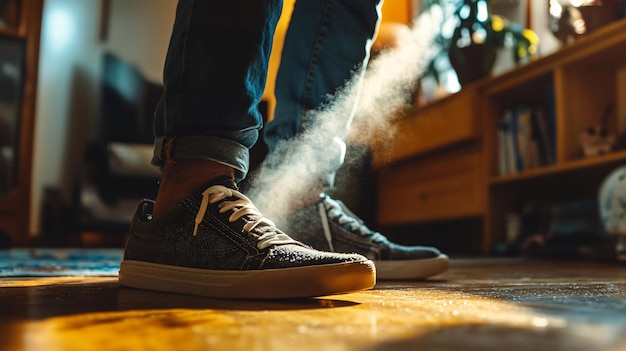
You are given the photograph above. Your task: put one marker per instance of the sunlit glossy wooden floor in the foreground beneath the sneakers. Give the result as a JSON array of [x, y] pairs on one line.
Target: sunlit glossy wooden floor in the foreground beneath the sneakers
[[506, 304]]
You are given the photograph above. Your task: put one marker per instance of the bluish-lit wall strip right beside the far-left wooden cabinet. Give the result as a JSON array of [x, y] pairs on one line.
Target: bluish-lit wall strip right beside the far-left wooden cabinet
[[66, 94]]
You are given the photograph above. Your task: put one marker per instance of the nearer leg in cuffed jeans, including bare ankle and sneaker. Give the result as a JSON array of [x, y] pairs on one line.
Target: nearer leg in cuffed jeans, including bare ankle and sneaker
[[208, 238]]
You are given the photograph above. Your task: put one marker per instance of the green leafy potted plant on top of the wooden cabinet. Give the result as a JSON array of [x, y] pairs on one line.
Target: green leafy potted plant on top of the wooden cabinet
[[478, 36]]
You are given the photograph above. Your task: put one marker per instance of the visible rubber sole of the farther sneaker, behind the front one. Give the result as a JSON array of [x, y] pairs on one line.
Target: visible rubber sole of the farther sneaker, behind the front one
[[412, 269]]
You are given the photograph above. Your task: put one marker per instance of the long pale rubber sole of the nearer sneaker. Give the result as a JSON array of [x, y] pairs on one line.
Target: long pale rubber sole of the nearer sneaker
[[300, 282]]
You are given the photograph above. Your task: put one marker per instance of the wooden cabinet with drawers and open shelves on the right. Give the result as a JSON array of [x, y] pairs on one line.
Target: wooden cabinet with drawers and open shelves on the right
[[578, 82]]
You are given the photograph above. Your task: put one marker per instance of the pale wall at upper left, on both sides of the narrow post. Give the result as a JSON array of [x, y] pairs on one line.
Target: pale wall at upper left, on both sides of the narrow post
[[69, 73]]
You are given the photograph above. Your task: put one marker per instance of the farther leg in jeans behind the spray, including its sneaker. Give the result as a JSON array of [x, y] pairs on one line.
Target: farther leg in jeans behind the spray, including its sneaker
[[316, 99]]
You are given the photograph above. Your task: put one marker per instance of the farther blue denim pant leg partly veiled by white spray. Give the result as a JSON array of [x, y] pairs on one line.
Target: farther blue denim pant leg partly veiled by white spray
[[327, 44]]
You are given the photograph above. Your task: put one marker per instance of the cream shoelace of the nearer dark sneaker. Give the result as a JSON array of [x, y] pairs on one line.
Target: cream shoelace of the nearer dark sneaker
[[241, 207]]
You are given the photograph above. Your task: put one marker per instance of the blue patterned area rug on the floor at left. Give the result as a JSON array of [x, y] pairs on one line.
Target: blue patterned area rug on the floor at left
[[59, 262]]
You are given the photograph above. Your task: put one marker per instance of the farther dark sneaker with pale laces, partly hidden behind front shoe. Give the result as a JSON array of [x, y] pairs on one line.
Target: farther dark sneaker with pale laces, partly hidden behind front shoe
[[330, 226]]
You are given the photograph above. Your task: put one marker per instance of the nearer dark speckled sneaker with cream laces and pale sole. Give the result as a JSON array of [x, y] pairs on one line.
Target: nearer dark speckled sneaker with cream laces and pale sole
[[216, 243]]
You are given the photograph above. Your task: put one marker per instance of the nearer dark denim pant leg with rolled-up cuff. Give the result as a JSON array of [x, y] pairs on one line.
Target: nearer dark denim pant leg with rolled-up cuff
[[214, 76]]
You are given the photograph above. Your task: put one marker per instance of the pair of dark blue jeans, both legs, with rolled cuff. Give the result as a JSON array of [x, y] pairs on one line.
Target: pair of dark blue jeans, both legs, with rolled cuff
[[216, 68]]
